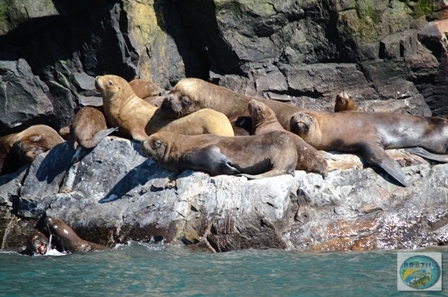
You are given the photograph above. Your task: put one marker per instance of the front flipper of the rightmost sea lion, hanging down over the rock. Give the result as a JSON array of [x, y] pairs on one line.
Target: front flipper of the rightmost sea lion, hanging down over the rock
[[376, 155]]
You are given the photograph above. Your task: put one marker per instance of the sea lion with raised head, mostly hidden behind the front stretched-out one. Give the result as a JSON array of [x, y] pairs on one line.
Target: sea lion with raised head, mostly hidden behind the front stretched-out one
[[265, 121]]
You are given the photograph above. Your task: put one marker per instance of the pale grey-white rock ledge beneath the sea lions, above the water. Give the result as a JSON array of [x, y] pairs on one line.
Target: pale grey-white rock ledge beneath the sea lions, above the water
[[115, 194]]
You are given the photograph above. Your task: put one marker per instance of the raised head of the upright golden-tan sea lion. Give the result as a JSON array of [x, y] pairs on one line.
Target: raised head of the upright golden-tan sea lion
[[112, 87]]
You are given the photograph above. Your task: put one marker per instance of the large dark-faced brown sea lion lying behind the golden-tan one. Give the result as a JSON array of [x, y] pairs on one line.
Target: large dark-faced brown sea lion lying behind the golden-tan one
[[192, 94]]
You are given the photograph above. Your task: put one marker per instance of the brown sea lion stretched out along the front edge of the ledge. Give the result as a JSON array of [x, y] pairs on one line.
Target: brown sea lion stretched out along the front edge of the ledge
[[254, 156]]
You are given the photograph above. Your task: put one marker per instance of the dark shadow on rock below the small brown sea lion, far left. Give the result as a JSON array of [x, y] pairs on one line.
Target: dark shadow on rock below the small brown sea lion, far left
[[57, 161]]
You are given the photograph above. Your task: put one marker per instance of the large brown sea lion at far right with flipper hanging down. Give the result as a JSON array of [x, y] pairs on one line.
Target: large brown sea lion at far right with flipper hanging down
[[371, 133]]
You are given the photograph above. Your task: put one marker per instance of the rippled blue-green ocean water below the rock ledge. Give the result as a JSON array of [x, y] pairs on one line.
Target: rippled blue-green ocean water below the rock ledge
[[163, 270]]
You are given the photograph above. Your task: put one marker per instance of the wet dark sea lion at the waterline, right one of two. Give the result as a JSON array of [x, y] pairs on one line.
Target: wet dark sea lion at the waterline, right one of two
[[69, 240]]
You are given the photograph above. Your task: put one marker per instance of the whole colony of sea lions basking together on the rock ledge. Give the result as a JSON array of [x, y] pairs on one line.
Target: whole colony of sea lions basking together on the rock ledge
[[191, 129]]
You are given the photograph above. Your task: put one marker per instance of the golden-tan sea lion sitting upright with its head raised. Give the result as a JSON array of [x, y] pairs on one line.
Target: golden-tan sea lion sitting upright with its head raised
[[137, 119]]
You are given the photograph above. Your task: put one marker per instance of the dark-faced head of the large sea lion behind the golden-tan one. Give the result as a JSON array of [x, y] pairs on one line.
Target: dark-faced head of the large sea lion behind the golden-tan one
[[176, 105]]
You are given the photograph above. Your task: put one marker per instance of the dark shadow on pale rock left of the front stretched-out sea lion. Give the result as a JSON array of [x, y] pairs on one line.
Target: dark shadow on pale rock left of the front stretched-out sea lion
[[140, 175]]
